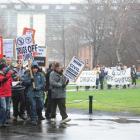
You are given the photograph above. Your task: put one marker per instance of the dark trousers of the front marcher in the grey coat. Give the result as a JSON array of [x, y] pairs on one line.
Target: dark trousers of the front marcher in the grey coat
[[61, 103]]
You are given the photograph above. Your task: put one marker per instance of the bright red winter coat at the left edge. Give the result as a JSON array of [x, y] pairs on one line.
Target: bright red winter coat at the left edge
[[5, 84]]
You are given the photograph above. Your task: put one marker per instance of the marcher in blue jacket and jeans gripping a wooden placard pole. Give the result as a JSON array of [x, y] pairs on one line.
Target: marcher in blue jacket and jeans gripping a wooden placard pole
[[34, 94]]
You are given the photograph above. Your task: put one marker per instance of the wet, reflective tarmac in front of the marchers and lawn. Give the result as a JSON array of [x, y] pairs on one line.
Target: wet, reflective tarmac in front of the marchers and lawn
[[97, 126]]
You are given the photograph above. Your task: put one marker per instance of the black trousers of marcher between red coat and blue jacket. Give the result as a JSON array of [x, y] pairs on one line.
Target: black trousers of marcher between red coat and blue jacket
[[18, 104]]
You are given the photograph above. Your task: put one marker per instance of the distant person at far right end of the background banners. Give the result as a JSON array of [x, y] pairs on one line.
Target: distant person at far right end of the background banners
[[133, 75]]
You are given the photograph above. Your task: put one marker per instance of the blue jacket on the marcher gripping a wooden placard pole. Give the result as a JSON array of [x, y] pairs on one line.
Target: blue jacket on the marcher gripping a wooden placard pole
[[39, 80]]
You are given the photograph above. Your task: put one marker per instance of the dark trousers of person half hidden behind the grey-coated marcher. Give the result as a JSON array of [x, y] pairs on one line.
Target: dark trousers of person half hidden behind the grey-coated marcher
[[48, 105]]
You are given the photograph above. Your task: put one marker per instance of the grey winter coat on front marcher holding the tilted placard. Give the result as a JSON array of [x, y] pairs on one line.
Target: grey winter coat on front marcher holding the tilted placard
[[57, 85]]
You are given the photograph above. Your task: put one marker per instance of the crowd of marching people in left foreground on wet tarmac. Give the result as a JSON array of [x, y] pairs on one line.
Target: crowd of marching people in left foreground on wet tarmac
[[29, 90]]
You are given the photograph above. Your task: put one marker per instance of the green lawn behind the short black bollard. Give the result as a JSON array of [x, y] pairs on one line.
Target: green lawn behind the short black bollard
[[114, 100]]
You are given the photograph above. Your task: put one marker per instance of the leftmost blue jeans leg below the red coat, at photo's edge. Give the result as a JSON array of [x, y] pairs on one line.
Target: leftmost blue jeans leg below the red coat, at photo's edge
[[3, 114]]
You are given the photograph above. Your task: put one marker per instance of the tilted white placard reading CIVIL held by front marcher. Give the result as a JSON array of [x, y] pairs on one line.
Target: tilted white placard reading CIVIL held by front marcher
[[74, 69]]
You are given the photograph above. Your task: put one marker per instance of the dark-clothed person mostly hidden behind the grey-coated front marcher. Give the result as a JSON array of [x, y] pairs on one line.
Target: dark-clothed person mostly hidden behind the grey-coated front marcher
[[48, 90]]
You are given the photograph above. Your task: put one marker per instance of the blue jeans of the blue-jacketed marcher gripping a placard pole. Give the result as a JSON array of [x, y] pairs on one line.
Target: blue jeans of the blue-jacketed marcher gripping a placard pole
[[36, 104]]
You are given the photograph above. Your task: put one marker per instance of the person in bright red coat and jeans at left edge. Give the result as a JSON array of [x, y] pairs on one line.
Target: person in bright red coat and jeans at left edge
[[5, 92]]
